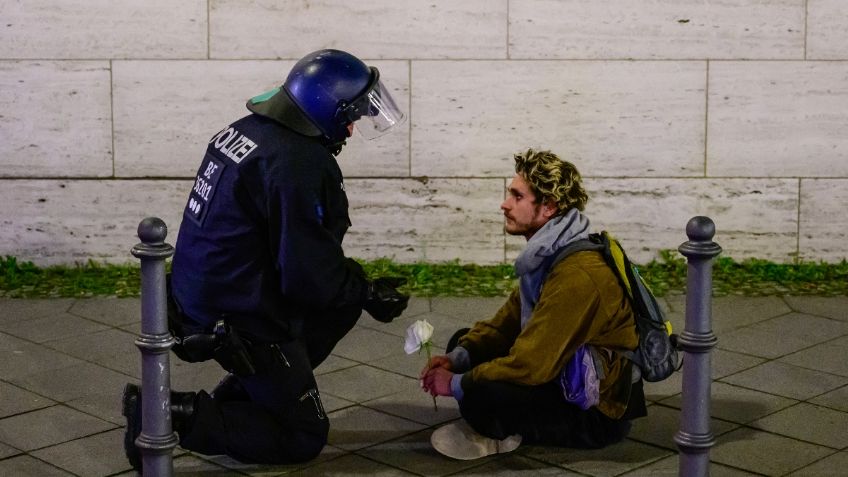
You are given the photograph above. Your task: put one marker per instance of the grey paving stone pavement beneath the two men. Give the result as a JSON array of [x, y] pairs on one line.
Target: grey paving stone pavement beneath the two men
[[779, 395]]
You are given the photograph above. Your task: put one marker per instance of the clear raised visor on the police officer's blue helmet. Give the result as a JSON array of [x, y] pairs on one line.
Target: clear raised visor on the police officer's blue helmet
[[375, 113]]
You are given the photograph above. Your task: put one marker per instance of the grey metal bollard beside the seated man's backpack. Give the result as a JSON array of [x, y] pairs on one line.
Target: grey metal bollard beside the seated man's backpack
[[694, 438]]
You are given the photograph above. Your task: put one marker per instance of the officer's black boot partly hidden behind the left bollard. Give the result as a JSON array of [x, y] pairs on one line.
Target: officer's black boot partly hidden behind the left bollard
[[182, 413]]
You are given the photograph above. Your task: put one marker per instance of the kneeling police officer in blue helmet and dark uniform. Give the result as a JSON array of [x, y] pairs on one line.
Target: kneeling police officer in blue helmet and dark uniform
[[259, 280]]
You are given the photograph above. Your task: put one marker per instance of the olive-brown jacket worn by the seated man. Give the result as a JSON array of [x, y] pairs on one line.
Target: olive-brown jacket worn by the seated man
[[581, 302]]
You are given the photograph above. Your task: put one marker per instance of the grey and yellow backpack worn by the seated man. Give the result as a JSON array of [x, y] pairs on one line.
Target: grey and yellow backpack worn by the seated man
[[656, 355]]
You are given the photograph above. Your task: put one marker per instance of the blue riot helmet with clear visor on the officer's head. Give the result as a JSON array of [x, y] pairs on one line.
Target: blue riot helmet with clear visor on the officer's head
[[325, 92]]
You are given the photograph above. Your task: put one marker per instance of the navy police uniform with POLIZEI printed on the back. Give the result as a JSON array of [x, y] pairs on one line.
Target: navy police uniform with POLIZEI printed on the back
[[260, 248]]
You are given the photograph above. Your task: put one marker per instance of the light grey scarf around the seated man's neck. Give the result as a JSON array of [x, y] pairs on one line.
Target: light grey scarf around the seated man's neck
[[531, 265]]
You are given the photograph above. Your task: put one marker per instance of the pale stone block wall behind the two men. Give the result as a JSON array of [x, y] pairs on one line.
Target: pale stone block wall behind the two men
[[670, 108]]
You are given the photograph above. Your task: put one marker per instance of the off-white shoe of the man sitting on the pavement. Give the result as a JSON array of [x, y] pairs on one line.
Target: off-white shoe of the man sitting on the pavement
[[459, 441]]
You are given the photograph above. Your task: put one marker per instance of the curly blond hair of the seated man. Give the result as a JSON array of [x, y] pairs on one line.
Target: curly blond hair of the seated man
[[552, 180]]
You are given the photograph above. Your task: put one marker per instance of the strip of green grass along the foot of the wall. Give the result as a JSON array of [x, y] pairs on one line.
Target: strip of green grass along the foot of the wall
[[751, 277]]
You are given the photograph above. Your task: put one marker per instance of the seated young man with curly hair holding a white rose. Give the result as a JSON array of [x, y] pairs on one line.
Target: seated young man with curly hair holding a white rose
[[506, 372]]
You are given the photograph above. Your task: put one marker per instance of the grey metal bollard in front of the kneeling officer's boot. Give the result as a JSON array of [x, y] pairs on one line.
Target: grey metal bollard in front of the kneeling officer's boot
[[157, 439]]
